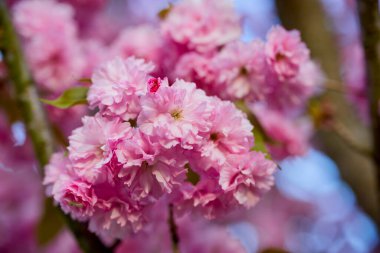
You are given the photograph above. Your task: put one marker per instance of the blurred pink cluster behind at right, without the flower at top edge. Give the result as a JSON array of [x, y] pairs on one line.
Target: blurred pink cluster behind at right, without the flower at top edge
[[276, 77]]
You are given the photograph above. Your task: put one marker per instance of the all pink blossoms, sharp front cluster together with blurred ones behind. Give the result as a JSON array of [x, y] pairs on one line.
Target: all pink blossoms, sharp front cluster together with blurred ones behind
[[154, 138]]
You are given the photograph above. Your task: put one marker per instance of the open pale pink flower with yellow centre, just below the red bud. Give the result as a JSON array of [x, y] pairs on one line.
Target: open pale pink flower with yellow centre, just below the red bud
[[175, 115]]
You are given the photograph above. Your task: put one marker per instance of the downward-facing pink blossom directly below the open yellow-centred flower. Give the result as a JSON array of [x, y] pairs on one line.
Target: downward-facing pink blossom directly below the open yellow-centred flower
[[147, 171]]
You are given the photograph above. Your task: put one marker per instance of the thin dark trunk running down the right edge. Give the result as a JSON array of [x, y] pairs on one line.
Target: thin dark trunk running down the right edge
[[370, 31]]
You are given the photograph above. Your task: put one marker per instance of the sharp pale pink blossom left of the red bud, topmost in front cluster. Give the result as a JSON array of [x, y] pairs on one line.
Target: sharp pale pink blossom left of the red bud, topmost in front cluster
[[117, 85]]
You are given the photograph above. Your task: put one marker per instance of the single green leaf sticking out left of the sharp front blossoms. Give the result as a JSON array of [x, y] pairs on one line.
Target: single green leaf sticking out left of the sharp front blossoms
[[69, 98]]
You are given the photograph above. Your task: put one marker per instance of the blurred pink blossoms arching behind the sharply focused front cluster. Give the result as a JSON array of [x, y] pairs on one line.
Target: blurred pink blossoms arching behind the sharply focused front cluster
[[198, 41]]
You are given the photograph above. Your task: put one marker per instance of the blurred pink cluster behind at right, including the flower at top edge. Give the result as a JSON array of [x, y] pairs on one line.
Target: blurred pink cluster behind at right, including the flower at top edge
[[274, 77]]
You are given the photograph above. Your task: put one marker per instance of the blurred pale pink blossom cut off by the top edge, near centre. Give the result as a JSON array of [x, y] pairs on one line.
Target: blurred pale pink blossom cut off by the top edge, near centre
[[202, 25]]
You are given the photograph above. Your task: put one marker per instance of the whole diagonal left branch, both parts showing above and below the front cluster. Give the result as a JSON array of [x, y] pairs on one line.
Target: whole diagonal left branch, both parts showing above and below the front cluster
[[35, 121]]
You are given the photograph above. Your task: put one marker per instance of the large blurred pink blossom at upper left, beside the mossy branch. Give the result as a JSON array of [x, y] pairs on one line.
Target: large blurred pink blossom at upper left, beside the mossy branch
[[50, 55]]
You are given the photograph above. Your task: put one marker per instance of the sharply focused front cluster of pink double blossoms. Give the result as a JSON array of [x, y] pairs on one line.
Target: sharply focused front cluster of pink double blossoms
[[147, 137]]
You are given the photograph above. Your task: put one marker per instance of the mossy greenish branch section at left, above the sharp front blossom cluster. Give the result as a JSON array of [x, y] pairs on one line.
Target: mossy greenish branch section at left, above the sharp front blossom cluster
[[25, 93]]
